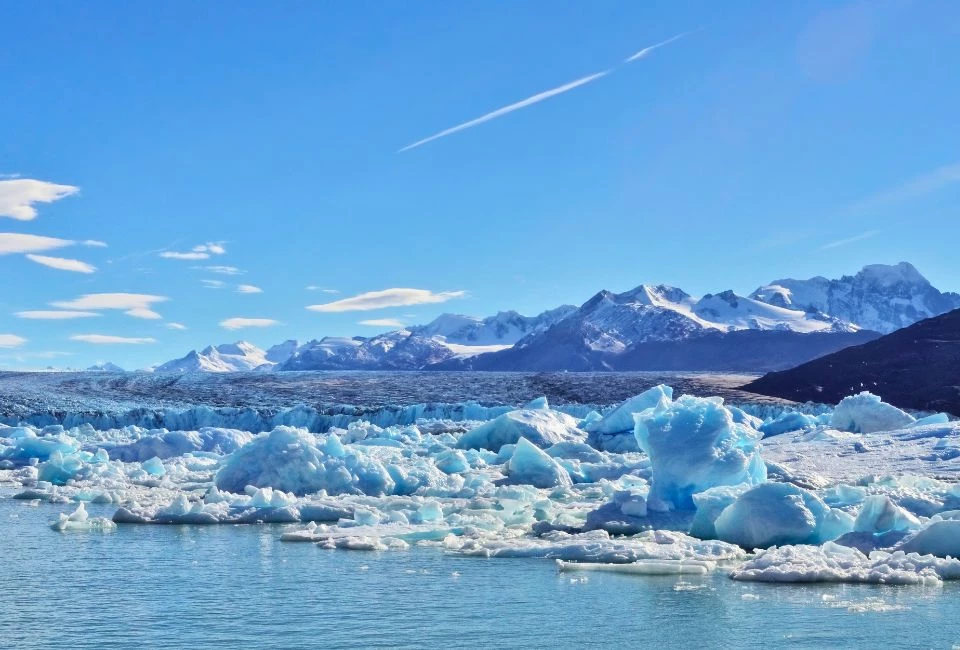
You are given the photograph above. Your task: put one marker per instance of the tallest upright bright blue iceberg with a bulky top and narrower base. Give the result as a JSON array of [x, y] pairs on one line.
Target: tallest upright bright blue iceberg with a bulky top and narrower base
[[695, 444]]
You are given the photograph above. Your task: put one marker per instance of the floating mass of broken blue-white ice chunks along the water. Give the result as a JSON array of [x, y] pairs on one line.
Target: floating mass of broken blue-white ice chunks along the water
[[859, 492]]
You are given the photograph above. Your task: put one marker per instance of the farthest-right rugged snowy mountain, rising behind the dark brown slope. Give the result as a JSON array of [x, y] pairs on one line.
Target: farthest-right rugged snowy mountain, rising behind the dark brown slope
[[881, 297]]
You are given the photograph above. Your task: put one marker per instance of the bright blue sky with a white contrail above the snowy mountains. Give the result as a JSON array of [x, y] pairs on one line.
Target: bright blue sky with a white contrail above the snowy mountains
[[777, 140]]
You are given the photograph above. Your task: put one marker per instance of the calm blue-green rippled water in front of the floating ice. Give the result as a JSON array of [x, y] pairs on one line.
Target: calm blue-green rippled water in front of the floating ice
[[241, 587]]
